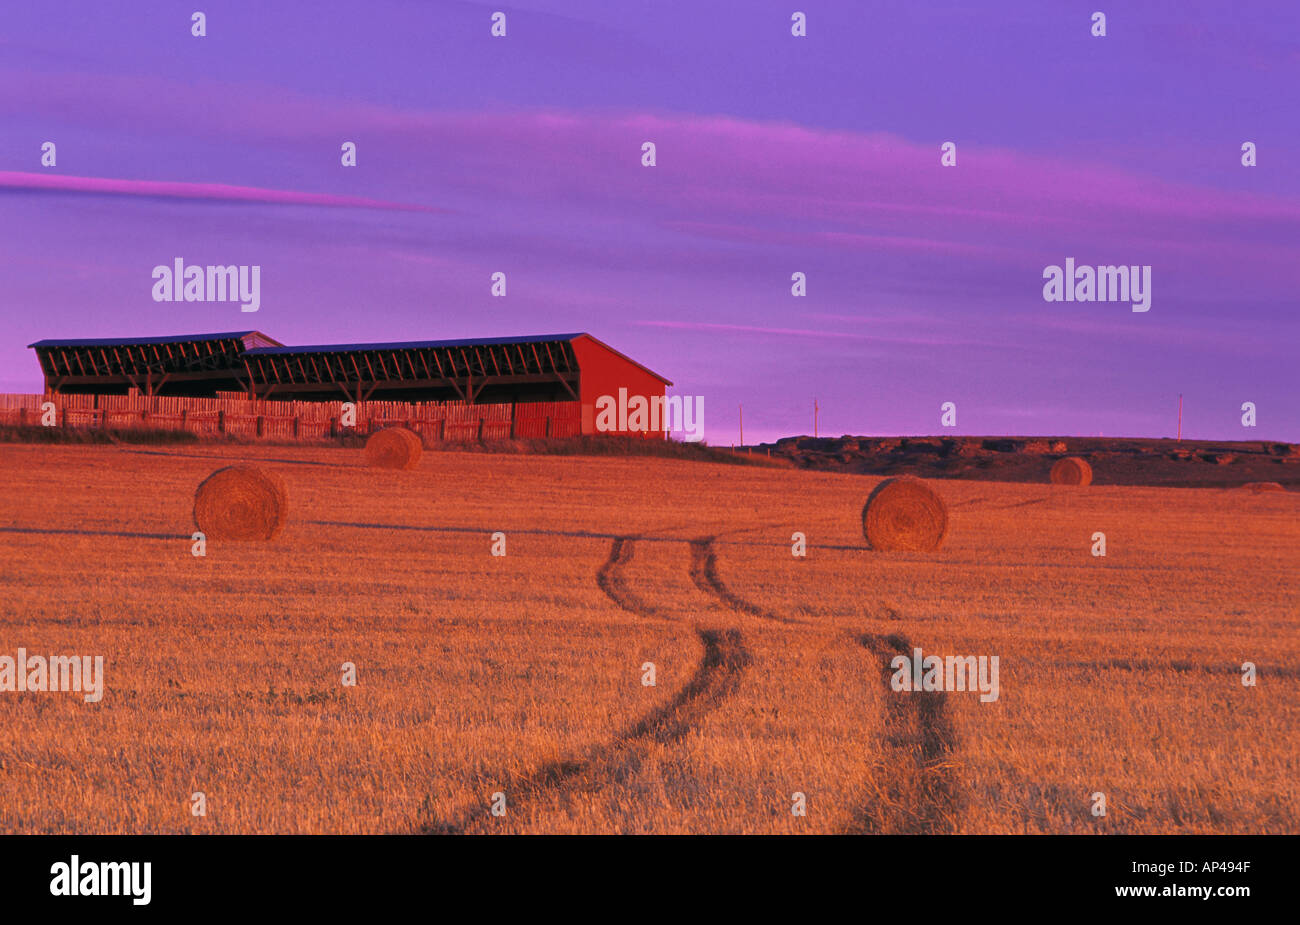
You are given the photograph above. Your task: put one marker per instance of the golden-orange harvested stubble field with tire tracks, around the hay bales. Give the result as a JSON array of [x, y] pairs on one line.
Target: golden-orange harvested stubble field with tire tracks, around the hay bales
[[523, 674]]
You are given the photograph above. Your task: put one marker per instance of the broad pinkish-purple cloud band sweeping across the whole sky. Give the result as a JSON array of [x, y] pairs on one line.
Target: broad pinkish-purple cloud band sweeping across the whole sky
[[734, 180]]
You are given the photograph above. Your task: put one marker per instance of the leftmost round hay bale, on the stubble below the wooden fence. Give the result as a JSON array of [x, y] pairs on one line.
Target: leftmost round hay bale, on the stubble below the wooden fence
[[241, 502]]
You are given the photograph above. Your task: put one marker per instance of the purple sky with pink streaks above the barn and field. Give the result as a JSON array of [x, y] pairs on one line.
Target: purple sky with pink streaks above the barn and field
[[775, 154]]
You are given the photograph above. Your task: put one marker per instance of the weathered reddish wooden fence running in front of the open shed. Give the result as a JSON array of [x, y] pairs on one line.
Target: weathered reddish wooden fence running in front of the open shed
[[267, 419]]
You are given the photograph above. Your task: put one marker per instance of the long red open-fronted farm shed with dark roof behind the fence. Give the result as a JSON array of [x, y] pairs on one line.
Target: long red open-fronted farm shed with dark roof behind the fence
[[560, 368]]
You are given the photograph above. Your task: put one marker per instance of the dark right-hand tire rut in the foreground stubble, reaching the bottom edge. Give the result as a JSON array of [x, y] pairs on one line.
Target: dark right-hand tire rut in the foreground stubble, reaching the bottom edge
[[916, 787]]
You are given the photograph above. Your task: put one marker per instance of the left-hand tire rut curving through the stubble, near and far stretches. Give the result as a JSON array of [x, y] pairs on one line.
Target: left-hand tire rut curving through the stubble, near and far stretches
[[716, 679]]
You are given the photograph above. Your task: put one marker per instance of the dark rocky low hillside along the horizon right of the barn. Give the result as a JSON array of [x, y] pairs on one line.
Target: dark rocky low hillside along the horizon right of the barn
[[1029, 459]]
